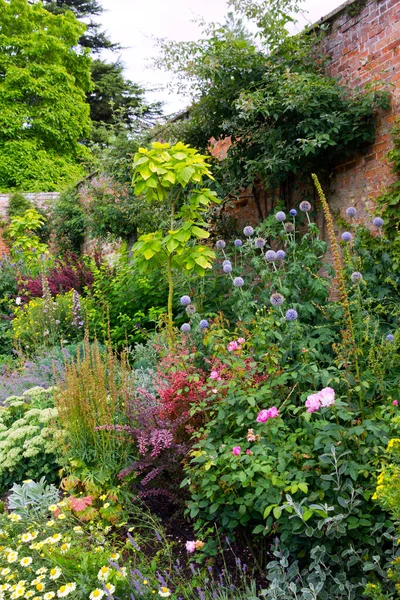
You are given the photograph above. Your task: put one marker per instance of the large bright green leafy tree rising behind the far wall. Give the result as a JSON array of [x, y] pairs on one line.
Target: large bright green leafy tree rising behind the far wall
[[43, 112]]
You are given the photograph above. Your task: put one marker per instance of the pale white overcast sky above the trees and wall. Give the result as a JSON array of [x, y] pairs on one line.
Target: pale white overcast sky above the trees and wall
[[133, 24]]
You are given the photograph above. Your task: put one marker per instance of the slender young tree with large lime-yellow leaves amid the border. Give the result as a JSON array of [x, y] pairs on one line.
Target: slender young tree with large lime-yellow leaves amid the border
[[174, 174]]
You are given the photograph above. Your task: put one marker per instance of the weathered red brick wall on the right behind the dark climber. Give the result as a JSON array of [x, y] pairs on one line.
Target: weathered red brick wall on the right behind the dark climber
[[363, 44]]
